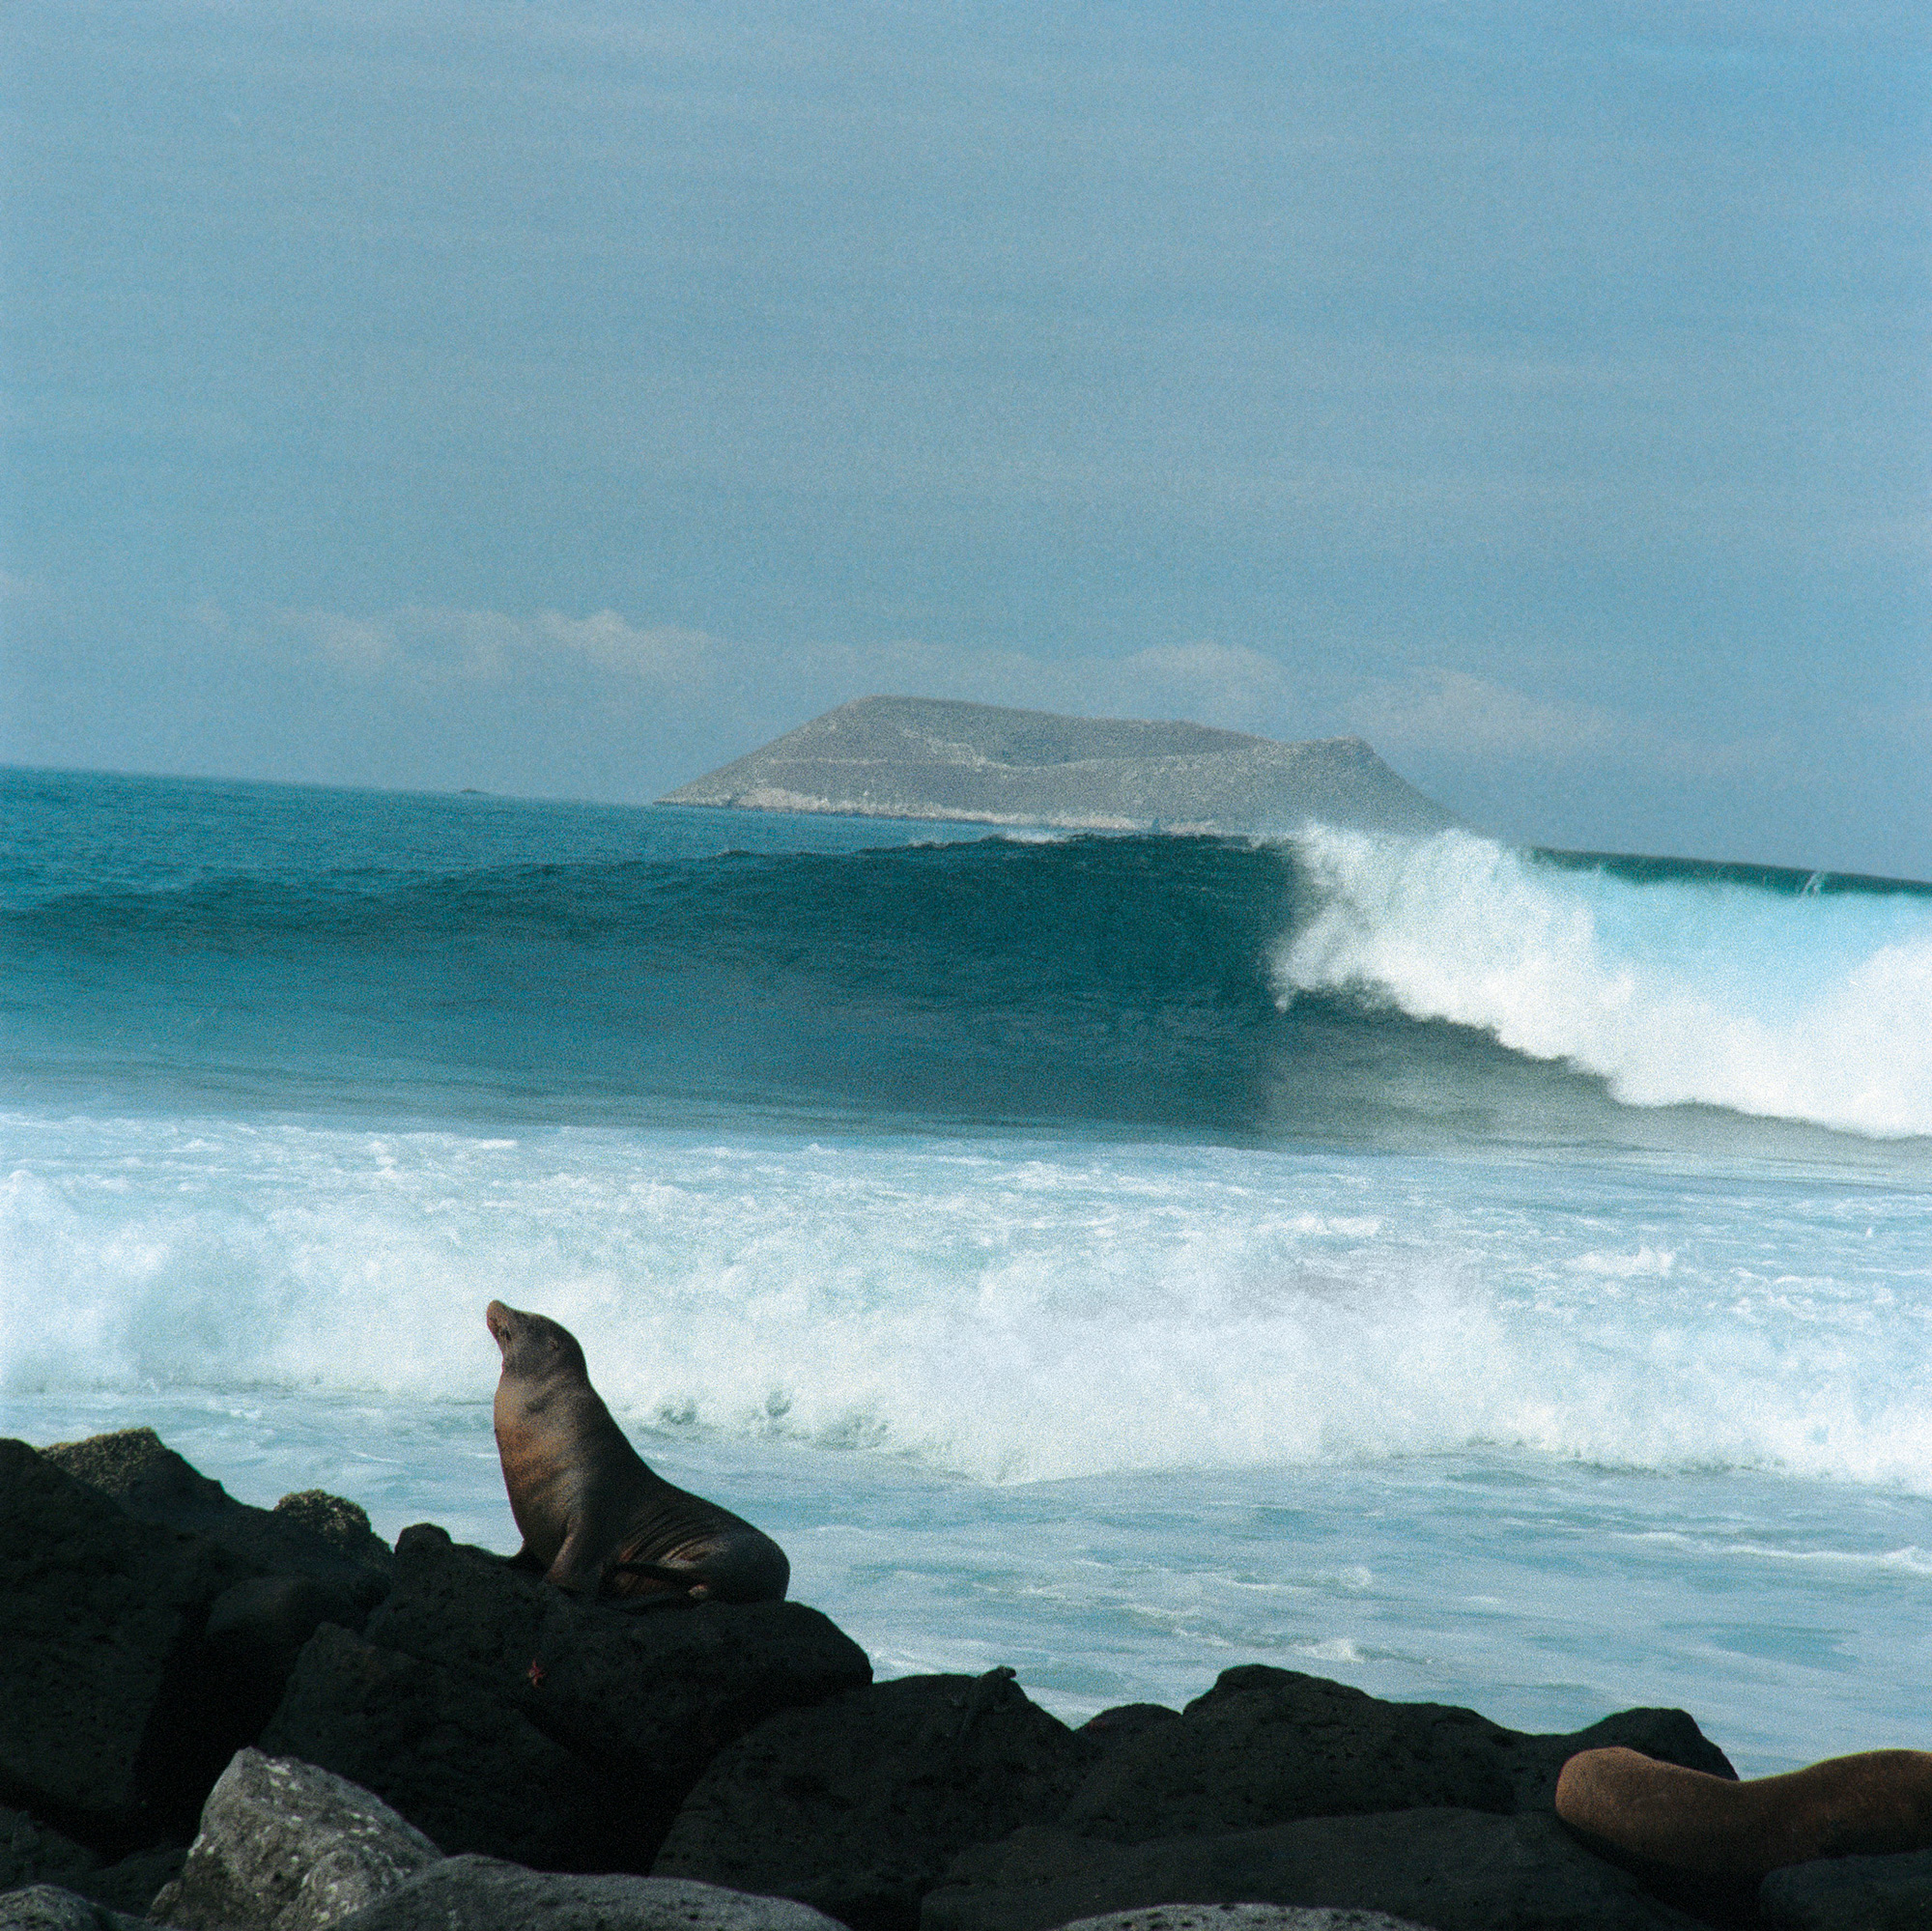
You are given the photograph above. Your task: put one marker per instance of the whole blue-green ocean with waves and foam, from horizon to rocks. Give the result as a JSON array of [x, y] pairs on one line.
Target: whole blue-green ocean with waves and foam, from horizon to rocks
[[1477, 1275]]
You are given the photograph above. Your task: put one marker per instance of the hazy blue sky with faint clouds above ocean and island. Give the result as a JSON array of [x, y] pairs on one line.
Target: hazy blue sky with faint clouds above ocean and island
[[565, 399]]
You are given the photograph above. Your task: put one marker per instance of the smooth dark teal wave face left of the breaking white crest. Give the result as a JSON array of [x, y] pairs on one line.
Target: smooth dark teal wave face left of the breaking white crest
[[1093, 980]]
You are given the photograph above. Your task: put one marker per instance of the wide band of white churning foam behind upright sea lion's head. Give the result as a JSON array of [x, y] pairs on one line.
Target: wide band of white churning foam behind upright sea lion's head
[[1008, 1310]]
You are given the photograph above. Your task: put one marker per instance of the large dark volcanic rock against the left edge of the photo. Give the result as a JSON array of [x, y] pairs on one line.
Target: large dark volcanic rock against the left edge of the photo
[[101, 1621]]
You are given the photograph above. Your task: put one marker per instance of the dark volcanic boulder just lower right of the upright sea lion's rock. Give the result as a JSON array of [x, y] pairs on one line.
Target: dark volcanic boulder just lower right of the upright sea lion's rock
[[859, 1806]]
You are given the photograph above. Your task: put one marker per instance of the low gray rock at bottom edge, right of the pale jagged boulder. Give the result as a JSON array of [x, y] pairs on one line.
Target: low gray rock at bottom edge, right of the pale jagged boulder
[[484, 1895]]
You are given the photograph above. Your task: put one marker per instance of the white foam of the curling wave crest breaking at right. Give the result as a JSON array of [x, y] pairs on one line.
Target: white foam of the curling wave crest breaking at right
[[1804, 1009]]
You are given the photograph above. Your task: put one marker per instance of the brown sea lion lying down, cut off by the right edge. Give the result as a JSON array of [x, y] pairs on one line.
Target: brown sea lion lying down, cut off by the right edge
[[1693, 1822]]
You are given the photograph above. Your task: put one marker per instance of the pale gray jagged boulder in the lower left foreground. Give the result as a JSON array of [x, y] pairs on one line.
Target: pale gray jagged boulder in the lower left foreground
[[289, 1847]]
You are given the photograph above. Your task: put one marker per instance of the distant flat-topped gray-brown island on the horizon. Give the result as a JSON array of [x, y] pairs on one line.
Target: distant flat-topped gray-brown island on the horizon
[[932, 758]]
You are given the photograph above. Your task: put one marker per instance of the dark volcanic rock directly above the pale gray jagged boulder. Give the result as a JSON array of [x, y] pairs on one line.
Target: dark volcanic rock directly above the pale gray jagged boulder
[[457, 1762]]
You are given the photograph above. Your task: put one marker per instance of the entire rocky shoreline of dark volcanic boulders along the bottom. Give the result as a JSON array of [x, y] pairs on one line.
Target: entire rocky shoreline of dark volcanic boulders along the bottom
[[382, 1739]]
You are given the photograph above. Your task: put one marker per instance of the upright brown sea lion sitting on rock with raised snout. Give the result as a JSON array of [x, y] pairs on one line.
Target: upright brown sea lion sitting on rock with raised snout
[[592, 1513]]
